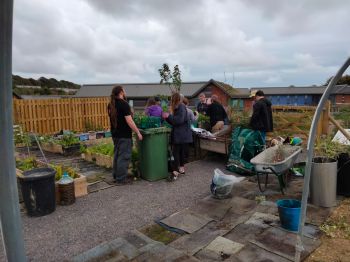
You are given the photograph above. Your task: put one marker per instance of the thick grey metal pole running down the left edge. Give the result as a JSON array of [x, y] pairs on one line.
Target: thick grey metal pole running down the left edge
[[11, 227]]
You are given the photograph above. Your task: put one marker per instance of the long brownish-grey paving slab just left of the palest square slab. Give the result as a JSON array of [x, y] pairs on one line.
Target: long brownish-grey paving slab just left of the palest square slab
[[192, 243]]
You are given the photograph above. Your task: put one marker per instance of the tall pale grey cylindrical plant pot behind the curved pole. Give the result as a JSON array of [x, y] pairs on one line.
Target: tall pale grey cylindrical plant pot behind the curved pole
[[323, 184]]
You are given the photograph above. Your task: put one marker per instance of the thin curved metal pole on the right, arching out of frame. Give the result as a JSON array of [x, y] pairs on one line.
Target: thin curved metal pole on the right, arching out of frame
[[310, 152]]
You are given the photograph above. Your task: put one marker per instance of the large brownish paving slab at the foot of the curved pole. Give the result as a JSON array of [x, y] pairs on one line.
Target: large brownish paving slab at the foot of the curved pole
[[282, 243]]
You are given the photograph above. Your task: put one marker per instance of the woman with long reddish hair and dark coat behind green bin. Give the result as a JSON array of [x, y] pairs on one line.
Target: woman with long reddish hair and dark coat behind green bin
[[181, 134]]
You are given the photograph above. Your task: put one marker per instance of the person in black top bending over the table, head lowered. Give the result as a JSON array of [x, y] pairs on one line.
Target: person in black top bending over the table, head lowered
[[217, 114]]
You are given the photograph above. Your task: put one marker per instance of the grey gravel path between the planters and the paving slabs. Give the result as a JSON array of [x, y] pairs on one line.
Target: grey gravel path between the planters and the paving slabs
[[110, 213]]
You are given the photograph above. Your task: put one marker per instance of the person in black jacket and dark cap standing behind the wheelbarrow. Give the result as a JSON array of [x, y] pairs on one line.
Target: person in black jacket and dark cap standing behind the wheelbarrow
[[261, 119]]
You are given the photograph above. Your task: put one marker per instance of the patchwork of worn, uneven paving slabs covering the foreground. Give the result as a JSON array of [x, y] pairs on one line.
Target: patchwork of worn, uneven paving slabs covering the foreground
[[235, 229]]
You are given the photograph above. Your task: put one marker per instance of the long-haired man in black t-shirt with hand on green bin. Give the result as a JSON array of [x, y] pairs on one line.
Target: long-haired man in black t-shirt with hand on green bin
[[122, 126]]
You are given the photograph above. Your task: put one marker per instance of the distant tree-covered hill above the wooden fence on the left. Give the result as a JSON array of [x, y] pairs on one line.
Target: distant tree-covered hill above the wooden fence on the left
[[43, 86]]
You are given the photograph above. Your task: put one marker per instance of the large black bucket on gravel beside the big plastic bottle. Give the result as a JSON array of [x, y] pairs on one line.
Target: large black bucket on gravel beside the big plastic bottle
[[38, 191]]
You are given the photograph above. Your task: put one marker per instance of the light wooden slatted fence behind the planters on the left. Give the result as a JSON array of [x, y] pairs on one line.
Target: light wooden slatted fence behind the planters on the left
[[49, 116]]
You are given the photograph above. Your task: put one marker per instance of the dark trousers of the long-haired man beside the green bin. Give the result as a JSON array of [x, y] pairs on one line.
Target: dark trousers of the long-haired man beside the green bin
[[122, 156]]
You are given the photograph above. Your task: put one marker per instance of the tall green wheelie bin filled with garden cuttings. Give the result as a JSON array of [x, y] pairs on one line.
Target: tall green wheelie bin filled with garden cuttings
[[153, 153]]
